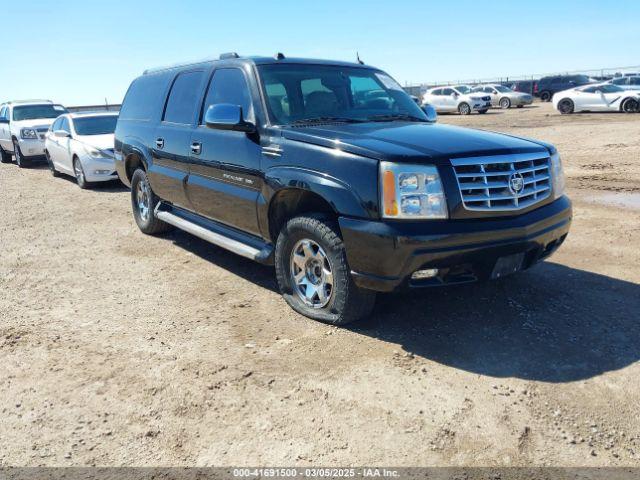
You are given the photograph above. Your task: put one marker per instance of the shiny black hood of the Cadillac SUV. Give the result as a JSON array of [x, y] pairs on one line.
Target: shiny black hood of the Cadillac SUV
[[412, 142]]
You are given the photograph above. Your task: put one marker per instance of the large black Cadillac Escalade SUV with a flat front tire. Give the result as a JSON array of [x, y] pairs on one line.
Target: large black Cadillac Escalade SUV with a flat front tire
[[330, 171]]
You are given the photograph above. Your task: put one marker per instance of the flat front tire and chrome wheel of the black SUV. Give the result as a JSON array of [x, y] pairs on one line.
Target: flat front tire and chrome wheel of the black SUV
[[322, 266]]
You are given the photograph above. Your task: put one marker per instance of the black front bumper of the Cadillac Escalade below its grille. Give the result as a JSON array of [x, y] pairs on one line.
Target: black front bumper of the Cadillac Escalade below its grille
[[383, 256]]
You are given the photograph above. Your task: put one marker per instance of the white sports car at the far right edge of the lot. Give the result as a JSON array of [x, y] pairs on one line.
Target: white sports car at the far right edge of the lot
[[597, 98]]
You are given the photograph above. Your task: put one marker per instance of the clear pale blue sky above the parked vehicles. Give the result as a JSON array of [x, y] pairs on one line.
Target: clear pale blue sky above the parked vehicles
[[81, 52]]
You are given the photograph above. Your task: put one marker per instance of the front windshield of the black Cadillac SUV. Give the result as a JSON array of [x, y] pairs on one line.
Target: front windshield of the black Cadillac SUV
[[303, 93]]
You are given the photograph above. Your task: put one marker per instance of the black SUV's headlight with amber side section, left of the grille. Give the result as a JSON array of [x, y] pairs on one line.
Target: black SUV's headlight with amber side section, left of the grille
[[412, 192]]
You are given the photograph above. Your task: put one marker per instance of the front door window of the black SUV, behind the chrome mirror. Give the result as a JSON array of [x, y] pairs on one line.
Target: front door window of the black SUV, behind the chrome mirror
[[228, 85]]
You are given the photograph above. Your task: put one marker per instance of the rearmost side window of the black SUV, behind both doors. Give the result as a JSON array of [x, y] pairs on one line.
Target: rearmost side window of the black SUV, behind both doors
[[144, 97]]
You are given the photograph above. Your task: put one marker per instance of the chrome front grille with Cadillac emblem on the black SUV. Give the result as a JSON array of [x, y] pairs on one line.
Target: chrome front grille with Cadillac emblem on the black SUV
[[487, 183]]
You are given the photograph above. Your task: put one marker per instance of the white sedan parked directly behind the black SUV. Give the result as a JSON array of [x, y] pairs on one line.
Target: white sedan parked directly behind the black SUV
[[81, 145]]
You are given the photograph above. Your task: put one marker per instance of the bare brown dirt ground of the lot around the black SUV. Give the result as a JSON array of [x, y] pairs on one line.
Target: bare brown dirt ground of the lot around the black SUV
[[118, 348]]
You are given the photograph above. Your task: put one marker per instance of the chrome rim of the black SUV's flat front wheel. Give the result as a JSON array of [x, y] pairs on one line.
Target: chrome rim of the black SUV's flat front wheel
[[311, 273]]
